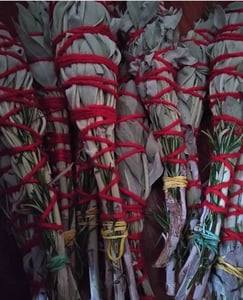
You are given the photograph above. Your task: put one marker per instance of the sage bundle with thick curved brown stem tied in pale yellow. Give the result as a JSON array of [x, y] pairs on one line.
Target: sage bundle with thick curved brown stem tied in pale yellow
[[152, 53]]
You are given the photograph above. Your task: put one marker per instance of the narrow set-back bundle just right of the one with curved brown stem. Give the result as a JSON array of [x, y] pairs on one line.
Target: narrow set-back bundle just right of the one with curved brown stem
[[192, 89]]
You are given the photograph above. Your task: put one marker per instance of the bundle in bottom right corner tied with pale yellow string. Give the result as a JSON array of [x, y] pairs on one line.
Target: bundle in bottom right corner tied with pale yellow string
[[226, 281]]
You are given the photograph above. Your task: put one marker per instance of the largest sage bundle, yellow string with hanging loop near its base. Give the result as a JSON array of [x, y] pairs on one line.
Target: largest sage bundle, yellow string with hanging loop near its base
[[87, 59]]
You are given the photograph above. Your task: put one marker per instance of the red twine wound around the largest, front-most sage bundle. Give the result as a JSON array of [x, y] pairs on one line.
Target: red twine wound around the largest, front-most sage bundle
[[106, 115]]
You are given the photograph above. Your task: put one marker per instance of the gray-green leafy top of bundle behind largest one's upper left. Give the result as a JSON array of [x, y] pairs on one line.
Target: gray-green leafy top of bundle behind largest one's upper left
[[33, 31]]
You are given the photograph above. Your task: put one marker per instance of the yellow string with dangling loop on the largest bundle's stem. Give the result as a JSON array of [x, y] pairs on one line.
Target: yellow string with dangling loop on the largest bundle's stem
[[112, 232]]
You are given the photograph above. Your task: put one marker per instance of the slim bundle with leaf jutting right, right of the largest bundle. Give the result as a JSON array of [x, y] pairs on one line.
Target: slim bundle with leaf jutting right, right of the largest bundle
[[137, 153]]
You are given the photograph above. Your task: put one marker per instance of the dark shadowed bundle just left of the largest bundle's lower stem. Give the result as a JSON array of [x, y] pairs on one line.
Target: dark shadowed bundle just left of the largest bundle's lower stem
[[87, 237]]
